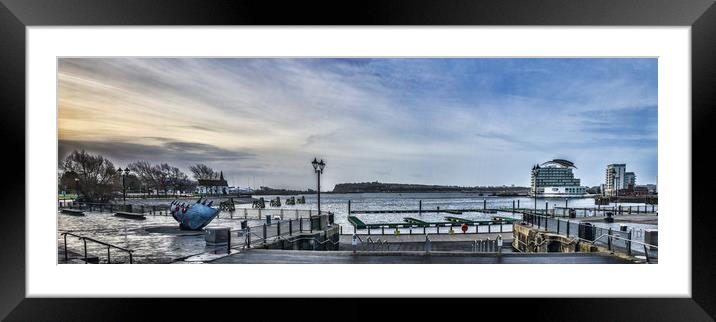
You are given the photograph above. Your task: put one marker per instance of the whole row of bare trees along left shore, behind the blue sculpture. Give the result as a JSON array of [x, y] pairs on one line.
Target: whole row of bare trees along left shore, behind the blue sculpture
[[95, 178]]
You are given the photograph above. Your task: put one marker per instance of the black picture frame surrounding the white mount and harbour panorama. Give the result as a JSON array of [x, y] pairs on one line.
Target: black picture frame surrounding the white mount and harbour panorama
[[16, 15]]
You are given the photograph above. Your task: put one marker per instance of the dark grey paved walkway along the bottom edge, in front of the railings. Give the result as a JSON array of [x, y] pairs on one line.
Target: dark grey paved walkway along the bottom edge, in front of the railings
[[256, 256]]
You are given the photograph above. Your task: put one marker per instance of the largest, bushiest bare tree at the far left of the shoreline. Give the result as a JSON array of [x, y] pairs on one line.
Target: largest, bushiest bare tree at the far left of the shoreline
[[96, 175]]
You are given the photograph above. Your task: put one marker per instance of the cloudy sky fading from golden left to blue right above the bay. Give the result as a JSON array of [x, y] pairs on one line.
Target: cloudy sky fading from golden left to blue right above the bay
[[446, 121]]
